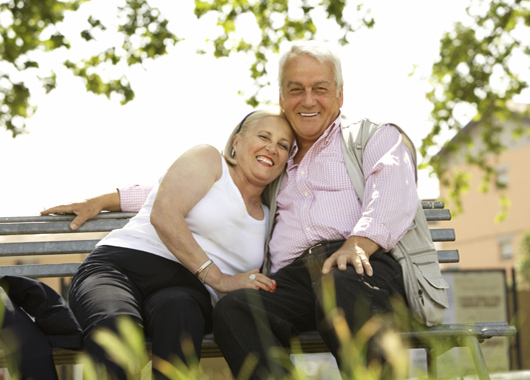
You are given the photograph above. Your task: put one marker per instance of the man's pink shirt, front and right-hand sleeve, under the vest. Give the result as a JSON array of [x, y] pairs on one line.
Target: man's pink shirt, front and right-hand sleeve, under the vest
[[317, 201]]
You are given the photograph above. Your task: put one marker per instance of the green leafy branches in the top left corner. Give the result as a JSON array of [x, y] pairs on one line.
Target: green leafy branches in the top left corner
[[30, 27]]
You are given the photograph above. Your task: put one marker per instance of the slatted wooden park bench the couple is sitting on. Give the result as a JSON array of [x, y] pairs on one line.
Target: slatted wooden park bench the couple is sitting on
[[435, 340]]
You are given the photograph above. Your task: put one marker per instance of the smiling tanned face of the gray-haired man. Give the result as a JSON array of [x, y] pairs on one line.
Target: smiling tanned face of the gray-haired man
[[310, 99]]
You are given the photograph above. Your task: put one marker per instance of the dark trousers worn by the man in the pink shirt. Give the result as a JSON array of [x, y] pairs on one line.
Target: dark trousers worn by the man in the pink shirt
[[253, 321]]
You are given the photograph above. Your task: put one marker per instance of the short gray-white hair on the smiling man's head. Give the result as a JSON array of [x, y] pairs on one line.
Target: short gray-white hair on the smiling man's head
[[317, 50]]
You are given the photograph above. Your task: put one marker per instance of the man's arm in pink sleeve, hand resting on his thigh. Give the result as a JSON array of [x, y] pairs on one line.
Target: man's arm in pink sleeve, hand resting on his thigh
[[389, 204]]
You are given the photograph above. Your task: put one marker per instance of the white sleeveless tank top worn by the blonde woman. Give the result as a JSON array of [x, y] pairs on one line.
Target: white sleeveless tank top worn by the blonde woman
[[219, 222]]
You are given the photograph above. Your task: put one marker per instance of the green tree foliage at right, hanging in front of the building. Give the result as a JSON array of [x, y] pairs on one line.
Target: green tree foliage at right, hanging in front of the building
[[478, 72]]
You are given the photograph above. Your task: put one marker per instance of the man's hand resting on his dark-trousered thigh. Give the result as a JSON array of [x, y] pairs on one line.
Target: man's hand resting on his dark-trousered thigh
[[356, 251]]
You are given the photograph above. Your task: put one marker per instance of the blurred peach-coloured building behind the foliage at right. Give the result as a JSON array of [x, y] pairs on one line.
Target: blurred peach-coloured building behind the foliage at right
[[483, 242]]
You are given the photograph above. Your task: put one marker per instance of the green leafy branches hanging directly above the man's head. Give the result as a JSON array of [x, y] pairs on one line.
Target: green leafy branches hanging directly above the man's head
[[278, 21]]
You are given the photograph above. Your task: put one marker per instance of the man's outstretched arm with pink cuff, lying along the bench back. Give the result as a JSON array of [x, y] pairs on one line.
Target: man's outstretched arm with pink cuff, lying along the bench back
[[128, 199]]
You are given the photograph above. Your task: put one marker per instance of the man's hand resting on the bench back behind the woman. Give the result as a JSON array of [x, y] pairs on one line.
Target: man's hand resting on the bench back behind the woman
[[87, 209]]
